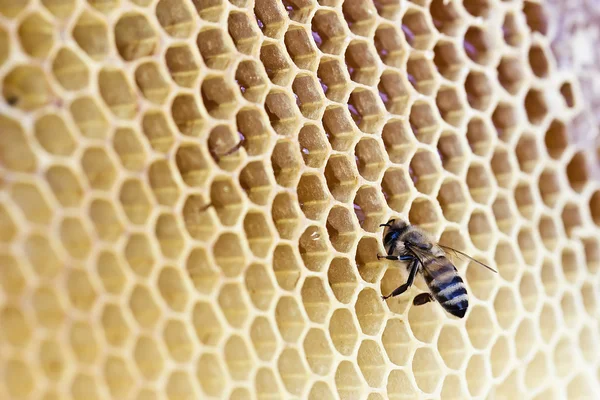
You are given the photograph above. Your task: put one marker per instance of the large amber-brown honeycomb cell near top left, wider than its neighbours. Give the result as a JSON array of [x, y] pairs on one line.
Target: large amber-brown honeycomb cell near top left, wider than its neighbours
[[135, 37]]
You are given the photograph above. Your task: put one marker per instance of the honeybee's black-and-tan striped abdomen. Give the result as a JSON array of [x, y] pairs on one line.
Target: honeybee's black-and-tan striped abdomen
[[447, 287]]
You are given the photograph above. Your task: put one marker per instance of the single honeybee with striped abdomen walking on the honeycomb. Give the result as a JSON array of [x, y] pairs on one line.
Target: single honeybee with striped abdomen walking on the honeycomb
[[404, 242]]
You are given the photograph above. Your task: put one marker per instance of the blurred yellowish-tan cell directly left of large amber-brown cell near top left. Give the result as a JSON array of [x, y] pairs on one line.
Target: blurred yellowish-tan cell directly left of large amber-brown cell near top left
[[91, 35]]
